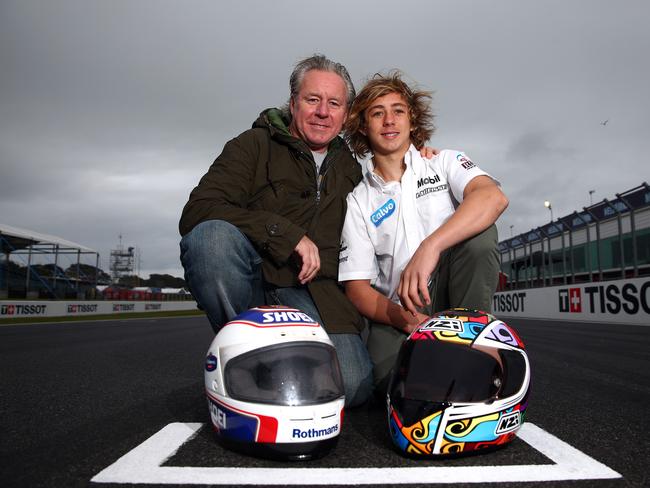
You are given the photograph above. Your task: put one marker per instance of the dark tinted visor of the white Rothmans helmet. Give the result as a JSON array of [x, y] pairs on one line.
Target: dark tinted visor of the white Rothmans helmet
[[294, 373]]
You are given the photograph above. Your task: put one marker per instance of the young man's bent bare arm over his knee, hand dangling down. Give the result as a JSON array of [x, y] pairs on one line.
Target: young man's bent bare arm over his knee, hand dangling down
[[483, 202]]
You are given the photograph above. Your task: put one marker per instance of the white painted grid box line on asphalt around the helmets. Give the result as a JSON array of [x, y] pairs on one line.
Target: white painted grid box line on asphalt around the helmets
[[144, 465]]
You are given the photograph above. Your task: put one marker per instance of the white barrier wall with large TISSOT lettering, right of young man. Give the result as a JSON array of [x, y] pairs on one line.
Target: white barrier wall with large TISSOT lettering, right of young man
[[620, 301]]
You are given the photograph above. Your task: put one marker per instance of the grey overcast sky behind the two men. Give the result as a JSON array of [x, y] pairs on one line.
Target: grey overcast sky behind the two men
[[111, 111]]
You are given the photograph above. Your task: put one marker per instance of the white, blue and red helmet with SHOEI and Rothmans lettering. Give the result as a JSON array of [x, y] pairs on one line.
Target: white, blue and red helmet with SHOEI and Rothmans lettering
[[274, 385]]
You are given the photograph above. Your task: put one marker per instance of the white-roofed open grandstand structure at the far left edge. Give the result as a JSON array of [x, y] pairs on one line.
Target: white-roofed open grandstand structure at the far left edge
[[31, 266]]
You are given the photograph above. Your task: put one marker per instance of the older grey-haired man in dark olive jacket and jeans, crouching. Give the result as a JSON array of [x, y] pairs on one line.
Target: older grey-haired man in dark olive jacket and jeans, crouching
[[264, 223]]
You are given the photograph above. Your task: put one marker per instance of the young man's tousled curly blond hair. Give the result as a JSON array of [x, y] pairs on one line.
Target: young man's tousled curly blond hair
[[419, 105]]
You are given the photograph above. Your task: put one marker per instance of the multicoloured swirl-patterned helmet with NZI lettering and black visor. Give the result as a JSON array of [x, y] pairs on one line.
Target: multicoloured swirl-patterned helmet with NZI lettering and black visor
[[460, 384]]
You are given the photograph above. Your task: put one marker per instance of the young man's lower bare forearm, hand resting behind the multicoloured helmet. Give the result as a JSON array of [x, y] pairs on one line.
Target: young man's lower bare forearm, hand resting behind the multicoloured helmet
[[378, 308]]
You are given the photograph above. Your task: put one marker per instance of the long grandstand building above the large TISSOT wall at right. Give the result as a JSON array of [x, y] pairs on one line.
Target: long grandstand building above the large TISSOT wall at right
[[608, 240]]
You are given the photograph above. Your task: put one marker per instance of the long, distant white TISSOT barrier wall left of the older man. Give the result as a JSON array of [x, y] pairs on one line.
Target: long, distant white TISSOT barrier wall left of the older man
[[44, 308]]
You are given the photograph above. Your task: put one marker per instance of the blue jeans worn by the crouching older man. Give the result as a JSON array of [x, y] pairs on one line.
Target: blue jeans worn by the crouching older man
[[223, 271]]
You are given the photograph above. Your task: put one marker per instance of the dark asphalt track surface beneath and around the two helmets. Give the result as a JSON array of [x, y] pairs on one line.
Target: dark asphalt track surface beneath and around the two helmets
[[76, 397]]
